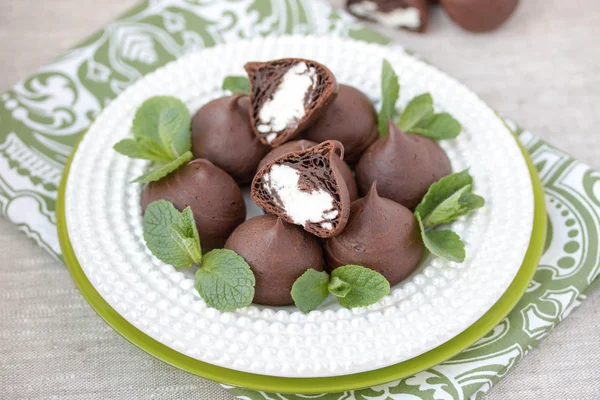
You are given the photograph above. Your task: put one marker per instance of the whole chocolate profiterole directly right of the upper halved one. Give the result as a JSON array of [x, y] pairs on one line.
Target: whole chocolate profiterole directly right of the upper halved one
[[351, 119]]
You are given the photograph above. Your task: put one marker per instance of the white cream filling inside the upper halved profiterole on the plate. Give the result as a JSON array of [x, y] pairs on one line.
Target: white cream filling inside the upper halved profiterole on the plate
[[285, 108]]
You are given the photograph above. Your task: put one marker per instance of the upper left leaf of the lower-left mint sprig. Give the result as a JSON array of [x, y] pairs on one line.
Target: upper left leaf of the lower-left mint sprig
[[166, 243]]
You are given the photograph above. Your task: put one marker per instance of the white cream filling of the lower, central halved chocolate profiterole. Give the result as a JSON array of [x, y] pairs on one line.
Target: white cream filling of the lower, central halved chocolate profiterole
[[300, 206]]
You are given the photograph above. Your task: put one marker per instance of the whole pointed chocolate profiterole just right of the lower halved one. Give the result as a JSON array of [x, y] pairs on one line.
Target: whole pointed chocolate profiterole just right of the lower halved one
[[382, 235]]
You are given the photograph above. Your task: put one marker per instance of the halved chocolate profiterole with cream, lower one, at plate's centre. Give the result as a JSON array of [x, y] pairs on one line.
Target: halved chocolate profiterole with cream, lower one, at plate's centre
[[305, 188]]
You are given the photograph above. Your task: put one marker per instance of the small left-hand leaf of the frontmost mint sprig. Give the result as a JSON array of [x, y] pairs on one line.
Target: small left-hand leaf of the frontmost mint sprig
[[310, 289]]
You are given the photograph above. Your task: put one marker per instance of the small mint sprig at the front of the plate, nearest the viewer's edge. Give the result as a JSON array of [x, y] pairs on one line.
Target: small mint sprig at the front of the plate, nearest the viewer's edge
[[353, 285]]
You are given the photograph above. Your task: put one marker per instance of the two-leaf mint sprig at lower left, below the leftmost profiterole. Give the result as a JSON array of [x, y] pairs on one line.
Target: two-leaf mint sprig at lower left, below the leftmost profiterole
[[224, 280]]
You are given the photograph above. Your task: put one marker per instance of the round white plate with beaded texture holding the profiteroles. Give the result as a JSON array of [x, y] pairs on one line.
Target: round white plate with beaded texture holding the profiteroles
[[435, 304]]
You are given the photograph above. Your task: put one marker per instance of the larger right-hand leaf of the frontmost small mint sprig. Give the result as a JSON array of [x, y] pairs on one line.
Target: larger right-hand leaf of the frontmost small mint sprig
[[366, 286]]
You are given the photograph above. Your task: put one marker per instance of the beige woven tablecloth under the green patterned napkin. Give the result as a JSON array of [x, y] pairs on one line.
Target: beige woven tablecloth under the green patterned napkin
[[541, 69]]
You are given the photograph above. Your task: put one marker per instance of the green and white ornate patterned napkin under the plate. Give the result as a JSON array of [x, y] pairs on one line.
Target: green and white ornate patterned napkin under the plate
[[43, 116]]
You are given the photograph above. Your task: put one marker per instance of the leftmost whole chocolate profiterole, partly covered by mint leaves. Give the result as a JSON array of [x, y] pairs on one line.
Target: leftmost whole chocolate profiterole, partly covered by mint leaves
[[213, 196]]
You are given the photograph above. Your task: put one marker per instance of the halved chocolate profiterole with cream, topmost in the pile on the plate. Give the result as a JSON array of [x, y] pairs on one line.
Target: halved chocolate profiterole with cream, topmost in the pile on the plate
[[287, 96]]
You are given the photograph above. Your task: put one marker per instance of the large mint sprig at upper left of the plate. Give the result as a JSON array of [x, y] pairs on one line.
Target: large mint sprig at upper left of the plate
[[161, 133]]
